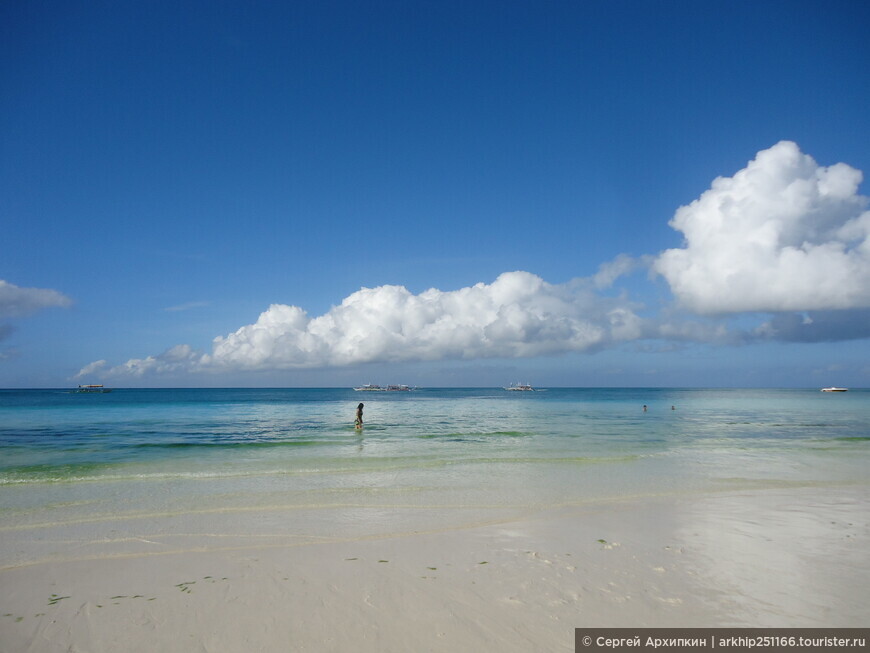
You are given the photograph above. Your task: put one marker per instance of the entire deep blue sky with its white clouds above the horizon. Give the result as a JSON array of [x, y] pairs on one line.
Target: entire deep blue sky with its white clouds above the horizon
[[444, 193]]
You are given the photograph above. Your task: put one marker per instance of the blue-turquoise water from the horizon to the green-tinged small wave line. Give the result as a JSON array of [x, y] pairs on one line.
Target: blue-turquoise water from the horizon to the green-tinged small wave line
[[54, 436]]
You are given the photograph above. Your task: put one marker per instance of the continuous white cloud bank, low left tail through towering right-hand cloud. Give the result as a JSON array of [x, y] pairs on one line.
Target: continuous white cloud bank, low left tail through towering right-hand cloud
[[783, 236]]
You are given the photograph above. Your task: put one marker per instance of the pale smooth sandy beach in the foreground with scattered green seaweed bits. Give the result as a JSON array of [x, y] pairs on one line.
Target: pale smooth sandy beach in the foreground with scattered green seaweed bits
[[782, 557]]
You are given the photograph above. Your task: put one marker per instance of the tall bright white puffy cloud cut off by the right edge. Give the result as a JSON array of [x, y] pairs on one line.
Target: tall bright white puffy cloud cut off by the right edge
[[783, 234]]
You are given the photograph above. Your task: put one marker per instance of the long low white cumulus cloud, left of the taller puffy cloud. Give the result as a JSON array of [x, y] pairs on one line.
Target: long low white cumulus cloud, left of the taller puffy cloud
[[518, 315]]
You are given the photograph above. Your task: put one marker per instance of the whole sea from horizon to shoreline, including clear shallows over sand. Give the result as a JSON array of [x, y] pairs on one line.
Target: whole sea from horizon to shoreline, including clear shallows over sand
[[424, 459]]
